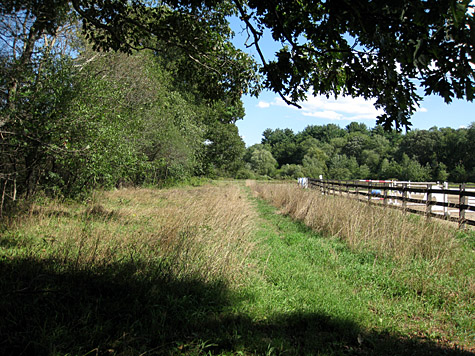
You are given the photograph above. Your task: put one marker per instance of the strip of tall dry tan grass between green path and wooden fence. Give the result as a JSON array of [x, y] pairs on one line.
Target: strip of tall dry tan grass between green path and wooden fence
[[387, 232]]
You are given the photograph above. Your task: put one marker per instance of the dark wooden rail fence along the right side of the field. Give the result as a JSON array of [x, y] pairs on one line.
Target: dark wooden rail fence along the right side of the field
[[427, 198]]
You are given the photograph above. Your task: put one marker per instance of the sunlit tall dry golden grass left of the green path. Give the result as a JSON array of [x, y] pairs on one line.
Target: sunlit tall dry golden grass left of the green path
[[189, 232]]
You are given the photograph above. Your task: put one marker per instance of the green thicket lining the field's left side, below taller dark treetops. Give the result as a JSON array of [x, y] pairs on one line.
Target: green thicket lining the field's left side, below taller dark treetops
[[107, 119]]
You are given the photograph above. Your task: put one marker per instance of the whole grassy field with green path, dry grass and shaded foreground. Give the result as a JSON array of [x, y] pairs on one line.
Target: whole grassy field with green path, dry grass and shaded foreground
[[217, 270]]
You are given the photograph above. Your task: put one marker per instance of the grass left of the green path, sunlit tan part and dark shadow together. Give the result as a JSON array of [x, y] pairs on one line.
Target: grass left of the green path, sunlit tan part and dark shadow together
[[101, 278]]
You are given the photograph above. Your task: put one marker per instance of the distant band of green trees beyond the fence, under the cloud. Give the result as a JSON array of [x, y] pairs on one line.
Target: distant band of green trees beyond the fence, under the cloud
[[357, 152]]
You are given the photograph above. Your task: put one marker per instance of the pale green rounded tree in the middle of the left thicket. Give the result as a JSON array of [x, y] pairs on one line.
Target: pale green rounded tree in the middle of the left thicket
[[129, 124]]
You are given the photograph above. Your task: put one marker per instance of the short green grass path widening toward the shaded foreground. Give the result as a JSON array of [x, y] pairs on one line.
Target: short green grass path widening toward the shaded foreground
[[313, 295]]
